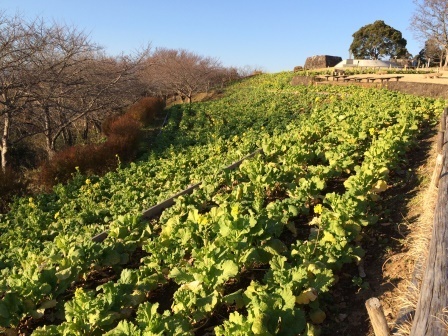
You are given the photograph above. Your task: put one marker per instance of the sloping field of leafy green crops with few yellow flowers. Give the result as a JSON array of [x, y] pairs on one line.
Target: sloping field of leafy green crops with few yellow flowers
[[254, 251]]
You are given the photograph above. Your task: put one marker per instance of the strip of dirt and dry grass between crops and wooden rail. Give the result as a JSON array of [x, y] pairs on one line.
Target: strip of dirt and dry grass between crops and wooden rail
[[388, 265]]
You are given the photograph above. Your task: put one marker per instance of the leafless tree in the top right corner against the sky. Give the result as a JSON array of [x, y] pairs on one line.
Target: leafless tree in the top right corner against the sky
[[430, 22]]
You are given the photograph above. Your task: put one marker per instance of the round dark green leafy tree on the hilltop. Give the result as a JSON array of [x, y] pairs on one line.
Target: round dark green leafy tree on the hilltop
[[377, 40]]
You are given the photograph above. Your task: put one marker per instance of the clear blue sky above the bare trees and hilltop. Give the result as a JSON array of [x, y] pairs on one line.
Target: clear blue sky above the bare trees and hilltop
[[273, 35]]
